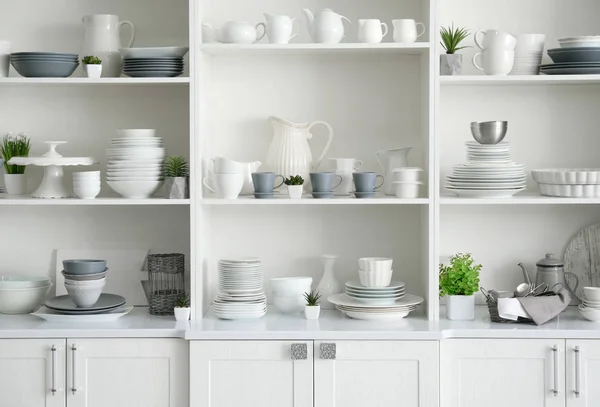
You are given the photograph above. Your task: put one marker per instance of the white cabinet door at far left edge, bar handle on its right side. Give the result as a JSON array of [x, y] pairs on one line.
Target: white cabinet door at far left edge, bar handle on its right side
[[29, 371]]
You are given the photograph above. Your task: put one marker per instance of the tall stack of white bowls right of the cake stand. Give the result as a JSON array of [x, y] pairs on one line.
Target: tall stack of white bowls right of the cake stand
[[135, 160]]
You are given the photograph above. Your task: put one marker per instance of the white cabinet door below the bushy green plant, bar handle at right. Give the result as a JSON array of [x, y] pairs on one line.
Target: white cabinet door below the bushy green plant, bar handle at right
[[500, 373]]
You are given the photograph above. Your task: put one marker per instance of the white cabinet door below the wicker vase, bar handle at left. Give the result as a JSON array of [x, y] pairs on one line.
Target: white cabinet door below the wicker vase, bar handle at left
[[127, 373]]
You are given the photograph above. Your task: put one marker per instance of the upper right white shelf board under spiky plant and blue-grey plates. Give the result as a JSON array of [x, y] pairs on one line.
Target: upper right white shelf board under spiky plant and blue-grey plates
[[518, 80]]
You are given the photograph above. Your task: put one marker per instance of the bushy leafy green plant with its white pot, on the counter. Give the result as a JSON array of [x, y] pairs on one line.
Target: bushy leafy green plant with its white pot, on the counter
[[459, 281]]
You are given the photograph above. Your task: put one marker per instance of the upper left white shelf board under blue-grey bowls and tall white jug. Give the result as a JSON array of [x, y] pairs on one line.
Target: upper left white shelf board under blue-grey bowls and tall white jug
[[99, 81]]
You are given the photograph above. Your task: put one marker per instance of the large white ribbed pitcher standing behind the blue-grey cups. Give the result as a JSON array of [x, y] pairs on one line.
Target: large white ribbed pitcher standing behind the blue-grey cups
[[289, 153]]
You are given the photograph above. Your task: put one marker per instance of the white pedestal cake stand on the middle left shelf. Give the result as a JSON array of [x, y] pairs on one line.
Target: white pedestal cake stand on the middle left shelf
[[52, 185]]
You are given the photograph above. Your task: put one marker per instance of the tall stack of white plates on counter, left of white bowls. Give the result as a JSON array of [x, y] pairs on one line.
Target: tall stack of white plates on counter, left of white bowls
[[241, 294]]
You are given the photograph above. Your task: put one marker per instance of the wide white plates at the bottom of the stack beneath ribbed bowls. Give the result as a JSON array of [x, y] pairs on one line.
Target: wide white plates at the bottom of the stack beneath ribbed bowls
[[361, 310]]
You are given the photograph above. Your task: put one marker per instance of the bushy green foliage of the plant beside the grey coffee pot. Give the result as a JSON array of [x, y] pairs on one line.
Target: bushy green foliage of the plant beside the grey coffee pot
[[461, 277]]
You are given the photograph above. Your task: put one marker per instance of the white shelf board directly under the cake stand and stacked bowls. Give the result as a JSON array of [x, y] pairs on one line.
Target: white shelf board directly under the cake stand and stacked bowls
[[100, 201]]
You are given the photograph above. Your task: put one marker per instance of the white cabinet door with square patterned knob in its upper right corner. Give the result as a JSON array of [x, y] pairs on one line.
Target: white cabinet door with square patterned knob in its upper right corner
[[251, 374]]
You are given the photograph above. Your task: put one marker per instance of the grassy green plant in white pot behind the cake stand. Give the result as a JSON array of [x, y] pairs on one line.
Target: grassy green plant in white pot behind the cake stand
[[14, 175]]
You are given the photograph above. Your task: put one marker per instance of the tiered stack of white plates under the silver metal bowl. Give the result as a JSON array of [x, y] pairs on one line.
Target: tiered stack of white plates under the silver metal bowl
[[488, 173]]
